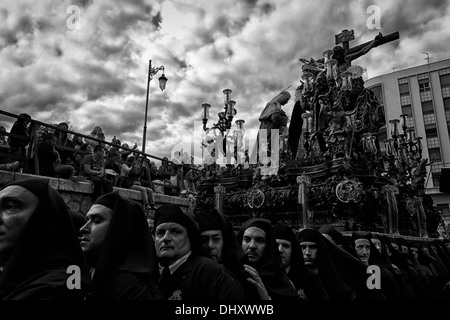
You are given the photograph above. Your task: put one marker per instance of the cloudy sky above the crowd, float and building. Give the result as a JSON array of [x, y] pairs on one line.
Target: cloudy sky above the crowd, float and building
[[87, 61]]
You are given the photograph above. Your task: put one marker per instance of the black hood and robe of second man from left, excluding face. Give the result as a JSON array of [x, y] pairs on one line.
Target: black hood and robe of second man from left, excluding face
[[125, 268]]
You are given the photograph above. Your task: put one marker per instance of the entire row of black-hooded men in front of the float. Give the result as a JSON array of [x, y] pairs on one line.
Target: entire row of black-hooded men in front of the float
[[48, 251]]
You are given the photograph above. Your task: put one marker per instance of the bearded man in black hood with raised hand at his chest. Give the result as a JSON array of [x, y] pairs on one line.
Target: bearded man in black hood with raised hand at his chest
[[258, 242]]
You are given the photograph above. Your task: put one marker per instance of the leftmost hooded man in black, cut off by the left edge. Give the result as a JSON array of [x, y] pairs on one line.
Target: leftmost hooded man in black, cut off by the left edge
[[40, 257]]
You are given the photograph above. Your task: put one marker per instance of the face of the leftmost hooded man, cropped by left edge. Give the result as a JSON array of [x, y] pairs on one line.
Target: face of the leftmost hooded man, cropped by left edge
[[17, 204]]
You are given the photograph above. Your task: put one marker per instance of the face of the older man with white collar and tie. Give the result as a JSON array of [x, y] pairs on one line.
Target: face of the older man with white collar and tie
[[171, 242]]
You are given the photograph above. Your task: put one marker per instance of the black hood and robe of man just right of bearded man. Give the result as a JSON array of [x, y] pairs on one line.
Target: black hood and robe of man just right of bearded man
[[306, 282]]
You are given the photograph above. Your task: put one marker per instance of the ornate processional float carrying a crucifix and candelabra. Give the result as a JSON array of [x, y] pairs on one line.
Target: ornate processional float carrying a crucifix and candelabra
[[336, 163]]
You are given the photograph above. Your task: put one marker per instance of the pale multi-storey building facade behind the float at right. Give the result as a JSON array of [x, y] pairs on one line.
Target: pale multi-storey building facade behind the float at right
[[423, 94]]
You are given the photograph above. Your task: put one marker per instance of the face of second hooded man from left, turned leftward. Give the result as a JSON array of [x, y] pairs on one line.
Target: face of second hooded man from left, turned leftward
[[94, 231]]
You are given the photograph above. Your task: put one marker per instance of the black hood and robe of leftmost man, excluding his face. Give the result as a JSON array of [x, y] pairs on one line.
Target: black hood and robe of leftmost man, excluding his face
[[38, 267]]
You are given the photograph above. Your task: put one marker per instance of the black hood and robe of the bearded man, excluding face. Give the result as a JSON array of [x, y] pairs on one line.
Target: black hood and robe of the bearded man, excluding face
[[269, 266]]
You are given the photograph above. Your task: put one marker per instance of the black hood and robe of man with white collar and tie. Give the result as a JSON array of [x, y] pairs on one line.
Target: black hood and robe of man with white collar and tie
[[197, 277]]
